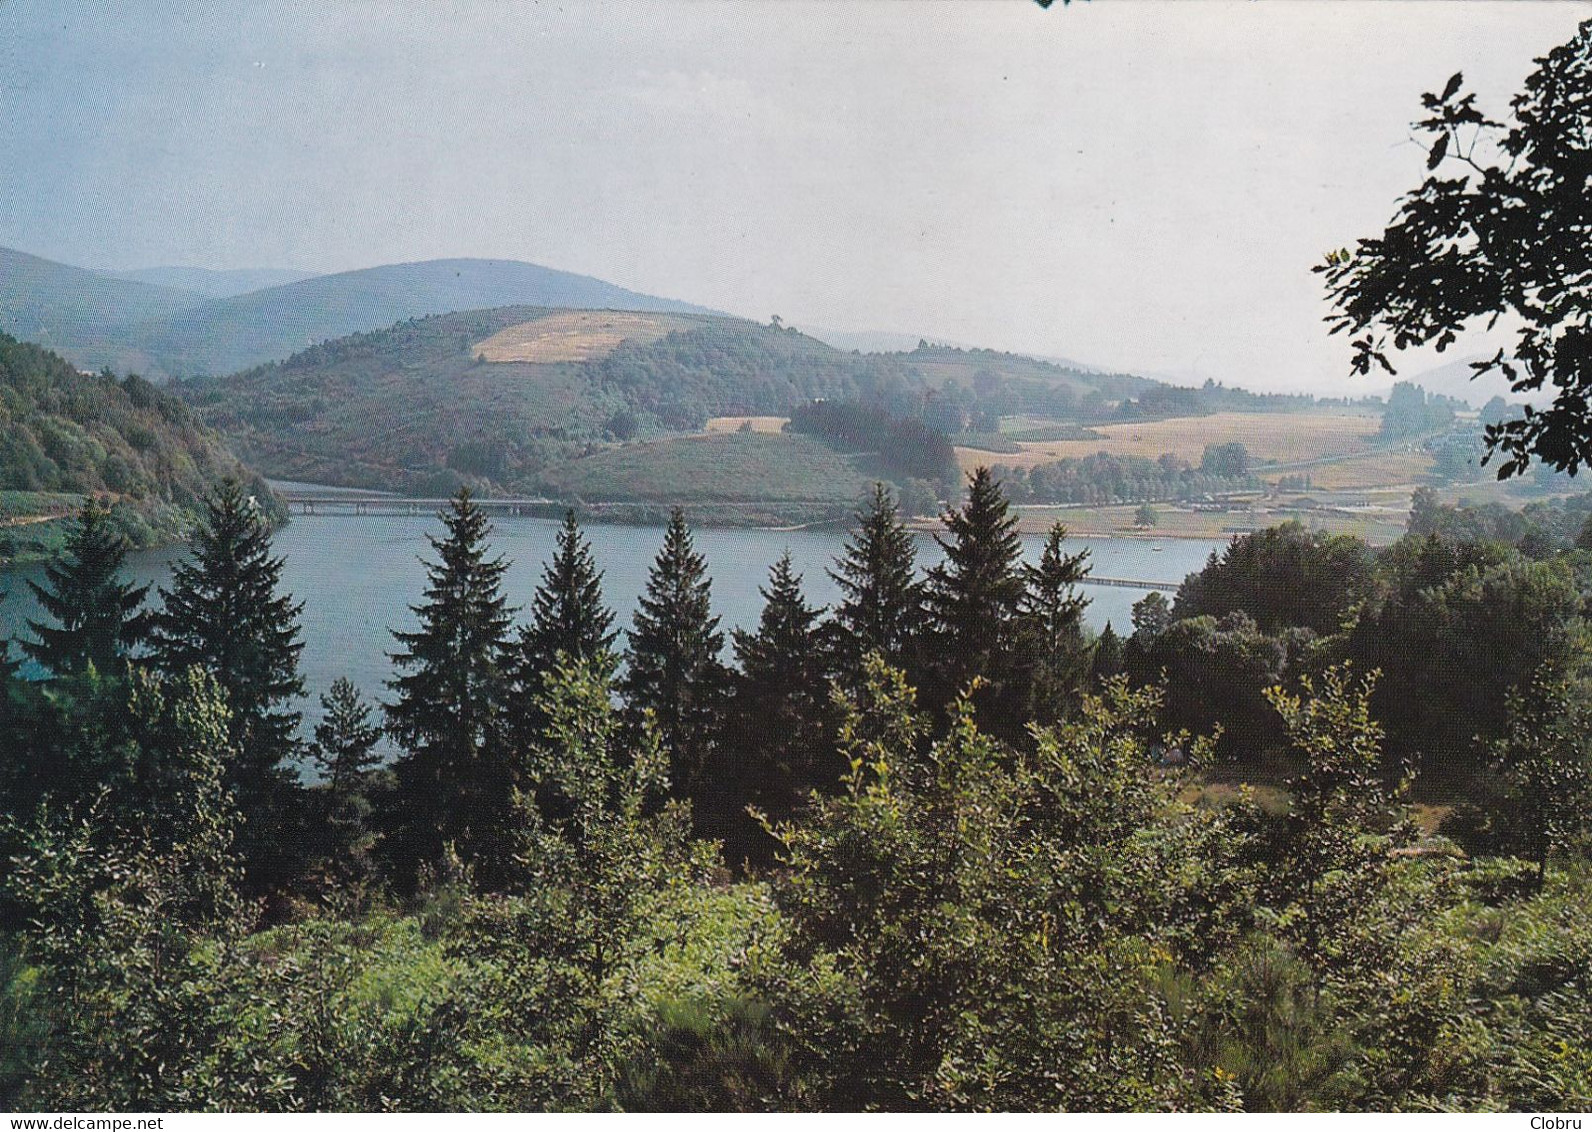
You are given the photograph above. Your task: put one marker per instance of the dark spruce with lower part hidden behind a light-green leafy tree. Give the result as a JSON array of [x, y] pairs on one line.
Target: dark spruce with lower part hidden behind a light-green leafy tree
[[569, 617]]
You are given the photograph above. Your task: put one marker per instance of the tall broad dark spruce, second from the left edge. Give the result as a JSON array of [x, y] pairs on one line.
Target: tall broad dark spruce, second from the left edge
[[225, 614]]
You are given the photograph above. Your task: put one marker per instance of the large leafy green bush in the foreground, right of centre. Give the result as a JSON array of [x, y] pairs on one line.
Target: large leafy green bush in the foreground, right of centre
[[970, 926]]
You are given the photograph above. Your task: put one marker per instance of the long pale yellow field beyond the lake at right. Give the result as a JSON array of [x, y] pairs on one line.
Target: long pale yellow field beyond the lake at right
[[1284, 437]]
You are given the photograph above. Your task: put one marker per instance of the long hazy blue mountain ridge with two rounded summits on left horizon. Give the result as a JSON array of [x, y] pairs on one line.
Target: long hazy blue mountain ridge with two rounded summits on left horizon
[[160, 332]]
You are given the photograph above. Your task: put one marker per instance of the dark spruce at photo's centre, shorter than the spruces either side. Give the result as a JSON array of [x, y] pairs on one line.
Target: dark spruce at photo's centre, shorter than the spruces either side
[[778, 733]]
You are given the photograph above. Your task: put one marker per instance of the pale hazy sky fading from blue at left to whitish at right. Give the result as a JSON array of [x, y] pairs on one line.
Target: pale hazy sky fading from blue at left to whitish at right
[[1134, 185]]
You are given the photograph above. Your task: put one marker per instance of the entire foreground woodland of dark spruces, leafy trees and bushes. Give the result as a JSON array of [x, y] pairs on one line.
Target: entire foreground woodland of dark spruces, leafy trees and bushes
[[1311, 837]]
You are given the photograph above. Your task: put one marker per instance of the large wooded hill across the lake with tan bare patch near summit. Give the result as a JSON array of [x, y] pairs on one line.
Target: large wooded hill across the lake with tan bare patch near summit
[[534, 400]]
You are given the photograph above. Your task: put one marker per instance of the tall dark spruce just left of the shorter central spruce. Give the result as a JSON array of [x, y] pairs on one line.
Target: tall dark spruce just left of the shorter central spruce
[[674, 658]]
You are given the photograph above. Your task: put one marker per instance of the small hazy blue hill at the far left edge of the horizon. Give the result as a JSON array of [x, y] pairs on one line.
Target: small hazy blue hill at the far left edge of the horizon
[[79, 313]]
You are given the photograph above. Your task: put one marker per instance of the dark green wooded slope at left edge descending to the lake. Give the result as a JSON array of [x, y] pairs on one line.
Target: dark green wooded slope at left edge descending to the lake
[[64, 434]]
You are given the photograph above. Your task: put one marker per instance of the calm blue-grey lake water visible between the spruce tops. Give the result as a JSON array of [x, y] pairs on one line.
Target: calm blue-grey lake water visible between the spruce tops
[[357, 577]]
